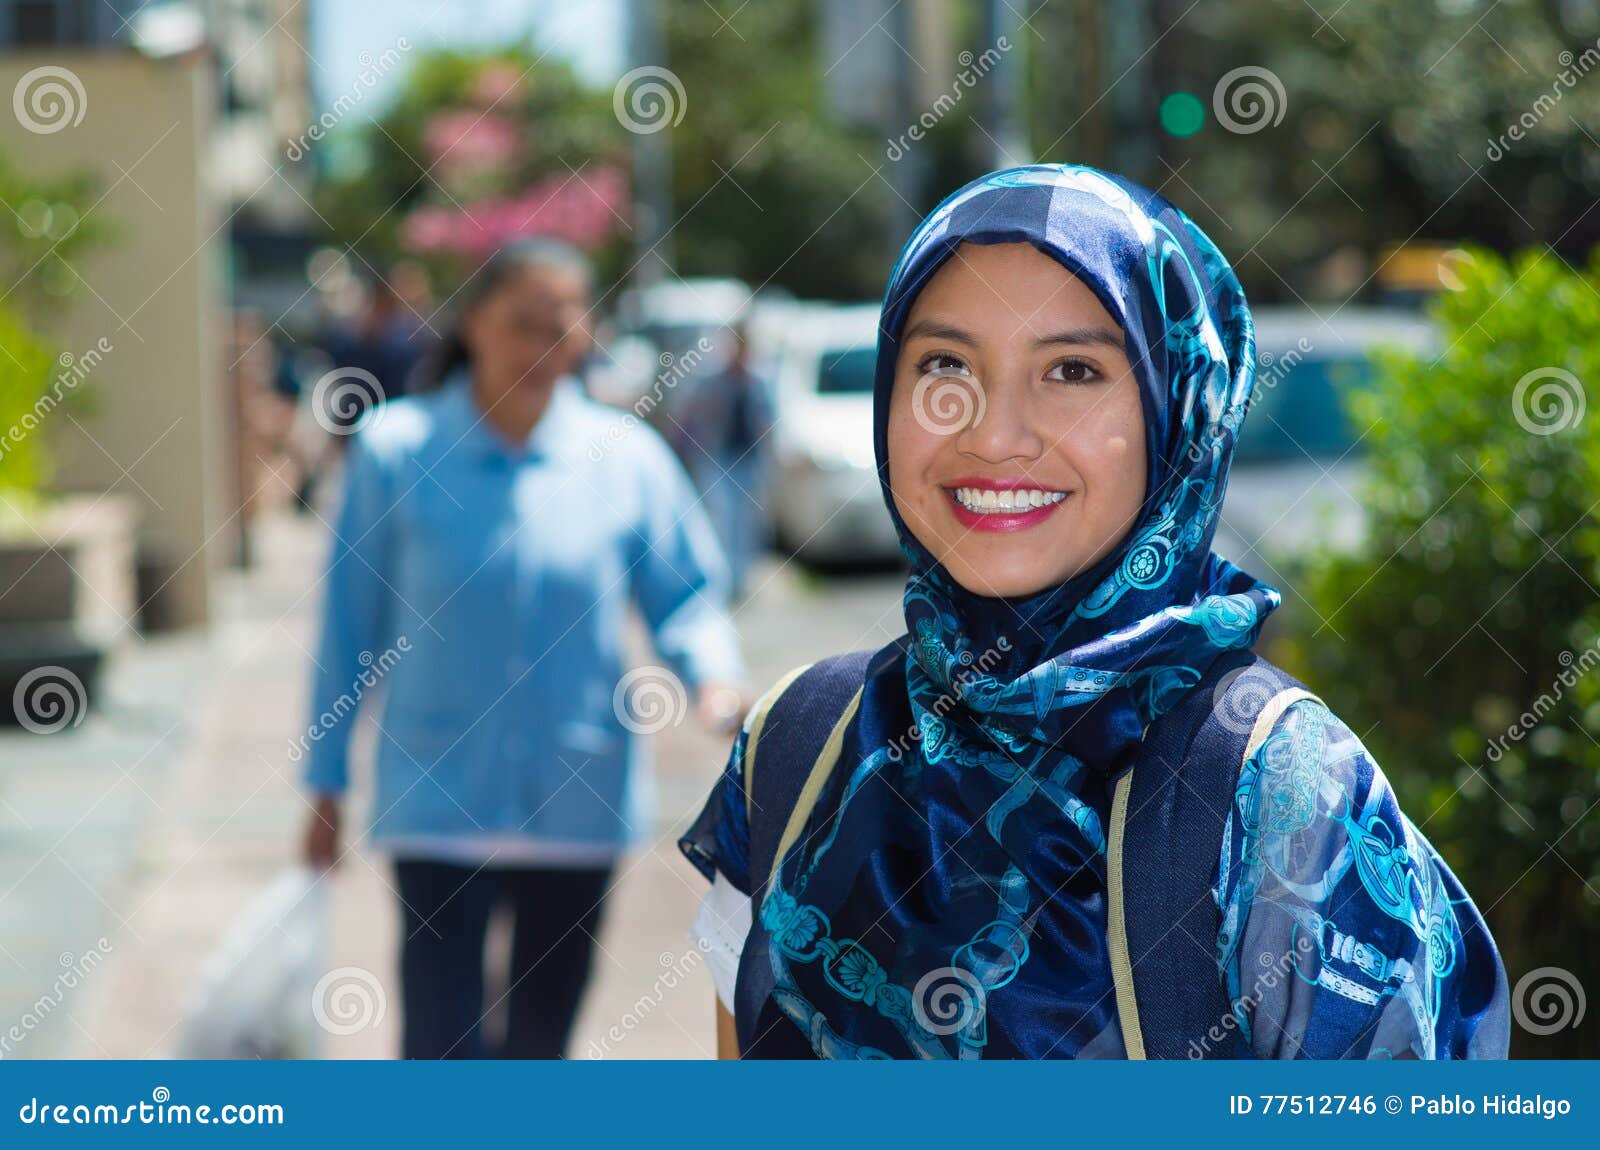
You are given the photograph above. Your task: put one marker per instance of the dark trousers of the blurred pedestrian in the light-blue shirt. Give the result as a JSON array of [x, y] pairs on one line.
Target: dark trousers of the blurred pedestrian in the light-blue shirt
[[446, 914]]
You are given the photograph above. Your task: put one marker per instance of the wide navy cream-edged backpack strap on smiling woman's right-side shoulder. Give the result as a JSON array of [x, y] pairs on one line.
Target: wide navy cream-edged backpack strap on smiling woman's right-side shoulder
[[1169, 817]]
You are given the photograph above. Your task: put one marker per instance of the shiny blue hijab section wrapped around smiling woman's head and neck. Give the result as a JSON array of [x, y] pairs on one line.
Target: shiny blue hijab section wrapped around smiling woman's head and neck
[[1082, 668]]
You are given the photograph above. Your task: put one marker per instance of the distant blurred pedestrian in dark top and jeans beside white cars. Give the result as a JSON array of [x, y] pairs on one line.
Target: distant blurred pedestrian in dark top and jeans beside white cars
[[724, 436]]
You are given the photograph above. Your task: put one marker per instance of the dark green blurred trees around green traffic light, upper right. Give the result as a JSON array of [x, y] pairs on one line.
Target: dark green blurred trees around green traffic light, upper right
[[1391, 124]]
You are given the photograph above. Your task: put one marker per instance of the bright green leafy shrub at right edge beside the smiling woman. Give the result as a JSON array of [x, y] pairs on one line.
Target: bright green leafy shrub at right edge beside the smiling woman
[[1462, 641]]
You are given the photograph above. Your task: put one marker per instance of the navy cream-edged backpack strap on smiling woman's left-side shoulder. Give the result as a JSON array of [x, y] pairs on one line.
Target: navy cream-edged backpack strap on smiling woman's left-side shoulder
[[791, 751]]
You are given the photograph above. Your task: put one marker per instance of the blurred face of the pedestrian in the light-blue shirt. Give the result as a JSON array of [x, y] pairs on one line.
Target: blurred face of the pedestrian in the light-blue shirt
[[529, 332]]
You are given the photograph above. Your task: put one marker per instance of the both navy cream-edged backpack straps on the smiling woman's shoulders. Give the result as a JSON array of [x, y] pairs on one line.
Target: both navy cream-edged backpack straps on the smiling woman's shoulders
[[1162, 847]]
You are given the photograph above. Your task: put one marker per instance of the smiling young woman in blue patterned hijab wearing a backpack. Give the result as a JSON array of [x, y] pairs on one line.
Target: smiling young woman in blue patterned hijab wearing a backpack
[[1070, 813]]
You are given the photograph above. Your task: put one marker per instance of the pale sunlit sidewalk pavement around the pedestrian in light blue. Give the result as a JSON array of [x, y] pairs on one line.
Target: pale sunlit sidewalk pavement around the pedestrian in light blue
[[143, 834]]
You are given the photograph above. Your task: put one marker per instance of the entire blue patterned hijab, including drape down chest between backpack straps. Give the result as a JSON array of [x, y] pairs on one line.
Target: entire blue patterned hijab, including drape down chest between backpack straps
[[958, 852]]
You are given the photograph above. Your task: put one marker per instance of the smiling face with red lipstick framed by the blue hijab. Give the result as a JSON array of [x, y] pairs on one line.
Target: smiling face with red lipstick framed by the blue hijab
[[1017, 434]]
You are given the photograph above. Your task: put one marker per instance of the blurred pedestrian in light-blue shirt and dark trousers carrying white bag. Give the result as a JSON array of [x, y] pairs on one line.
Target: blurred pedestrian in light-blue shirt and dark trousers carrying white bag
[[482, 570]]
